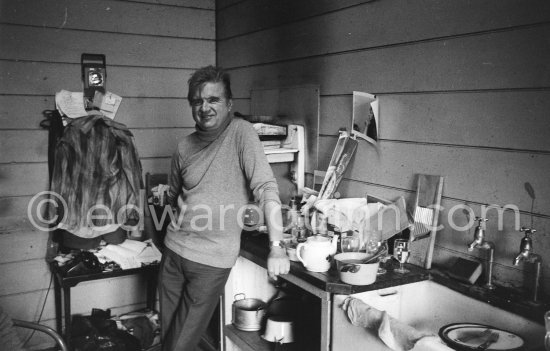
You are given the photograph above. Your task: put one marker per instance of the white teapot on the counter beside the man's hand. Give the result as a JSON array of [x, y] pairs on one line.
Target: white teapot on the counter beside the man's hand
[[316, 253]]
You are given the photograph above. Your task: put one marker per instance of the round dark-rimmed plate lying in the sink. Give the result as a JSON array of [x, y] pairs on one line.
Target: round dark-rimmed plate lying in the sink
[[468, 336]]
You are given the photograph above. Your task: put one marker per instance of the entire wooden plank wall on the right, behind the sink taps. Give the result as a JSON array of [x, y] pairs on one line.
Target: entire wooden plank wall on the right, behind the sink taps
[[463, 89]]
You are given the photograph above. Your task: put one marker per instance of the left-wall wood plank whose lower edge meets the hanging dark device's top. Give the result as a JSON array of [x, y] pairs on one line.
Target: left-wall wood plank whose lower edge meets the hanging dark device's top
[[48, 44]]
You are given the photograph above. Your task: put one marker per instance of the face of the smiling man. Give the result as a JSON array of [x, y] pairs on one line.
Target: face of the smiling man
[[210, 107]]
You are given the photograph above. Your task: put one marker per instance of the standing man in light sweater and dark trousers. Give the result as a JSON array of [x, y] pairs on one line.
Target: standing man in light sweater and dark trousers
[[214, 171]]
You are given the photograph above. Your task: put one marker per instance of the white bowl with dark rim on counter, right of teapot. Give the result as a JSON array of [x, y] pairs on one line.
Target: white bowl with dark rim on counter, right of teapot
[[352, 271]]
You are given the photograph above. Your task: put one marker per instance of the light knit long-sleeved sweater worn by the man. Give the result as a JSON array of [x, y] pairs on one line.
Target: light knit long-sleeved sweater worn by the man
[[213, 181]]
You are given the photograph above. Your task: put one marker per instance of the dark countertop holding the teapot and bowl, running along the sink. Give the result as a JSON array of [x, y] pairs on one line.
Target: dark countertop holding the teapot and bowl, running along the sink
[[255, 247]]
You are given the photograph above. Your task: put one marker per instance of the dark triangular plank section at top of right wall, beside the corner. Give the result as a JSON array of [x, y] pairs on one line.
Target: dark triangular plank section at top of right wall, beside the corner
[[235, 18]]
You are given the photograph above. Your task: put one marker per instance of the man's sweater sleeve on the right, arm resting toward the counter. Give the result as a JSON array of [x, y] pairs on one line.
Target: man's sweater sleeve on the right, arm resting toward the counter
[[257, 170]]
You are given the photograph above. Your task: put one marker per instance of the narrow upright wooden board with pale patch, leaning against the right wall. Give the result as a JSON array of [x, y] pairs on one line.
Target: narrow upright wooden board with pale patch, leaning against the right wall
[[426, 218]]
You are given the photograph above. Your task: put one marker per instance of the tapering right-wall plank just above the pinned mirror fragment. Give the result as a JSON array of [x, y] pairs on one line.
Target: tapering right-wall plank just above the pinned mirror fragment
[[501, 61]]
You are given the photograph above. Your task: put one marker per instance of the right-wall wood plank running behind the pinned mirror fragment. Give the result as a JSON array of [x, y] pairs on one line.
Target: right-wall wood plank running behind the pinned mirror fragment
[[454, 118]]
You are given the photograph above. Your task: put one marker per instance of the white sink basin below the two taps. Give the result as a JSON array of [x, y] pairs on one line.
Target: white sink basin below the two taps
[[428, 306]]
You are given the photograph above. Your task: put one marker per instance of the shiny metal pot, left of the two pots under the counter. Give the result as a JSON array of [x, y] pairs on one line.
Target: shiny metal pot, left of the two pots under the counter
[[248, 313]]
